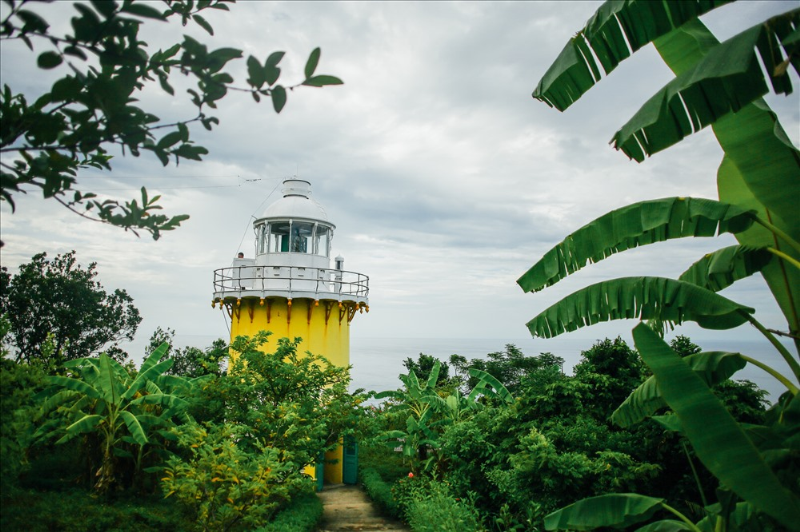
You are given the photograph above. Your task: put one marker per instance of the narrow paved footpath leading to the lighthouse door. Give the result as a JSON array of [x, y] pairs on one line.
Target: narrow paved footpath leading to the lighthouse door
[[349, 508]]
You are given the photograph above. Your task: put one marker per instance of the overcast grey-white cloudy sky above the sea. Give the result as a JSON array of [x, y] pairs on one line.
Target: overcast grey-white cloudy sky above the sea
[[445, 179]]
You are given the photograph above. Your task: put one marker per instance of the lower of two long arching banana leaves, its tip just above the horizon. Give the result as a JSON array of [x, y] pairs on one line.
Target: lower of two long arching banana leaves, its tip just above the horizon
[[644, 298]]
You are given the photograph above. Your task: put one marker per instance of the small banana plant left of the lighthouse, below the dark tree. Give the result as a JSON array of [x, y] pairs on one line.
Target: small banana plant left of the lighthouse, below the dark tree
[[102, 398]]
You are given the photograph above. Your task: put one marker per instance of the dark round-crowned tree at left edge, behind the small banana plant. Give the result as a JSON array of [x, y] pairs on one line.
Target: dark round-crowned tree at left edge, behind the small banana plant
[[60, 298]]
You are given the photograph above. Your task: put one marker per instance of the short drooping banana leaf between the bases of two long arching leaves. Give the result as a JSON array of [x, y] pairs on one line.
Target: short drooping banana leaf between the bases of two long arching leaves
[[717, 271]]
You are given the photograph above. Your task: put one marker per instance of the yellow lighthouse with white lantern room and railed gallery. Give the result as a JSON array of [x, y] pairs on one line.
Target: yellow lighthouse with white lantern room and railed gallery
[[288, 287]]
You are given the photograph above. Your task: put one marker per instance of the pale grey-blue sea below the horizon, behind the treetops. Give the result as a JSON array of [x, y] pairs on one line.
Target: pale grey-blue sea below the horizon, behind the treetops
[[377, 362]]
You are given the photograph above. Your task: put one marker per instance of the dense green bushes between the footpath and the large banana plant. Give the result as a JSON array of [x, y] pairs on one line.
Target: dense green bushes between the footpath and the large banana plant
[[511, 464]]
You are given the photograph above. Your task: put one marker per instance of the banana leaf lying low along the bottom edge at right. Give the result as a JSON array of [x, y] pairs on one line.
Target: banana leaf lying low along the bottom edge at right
[[619, 510]]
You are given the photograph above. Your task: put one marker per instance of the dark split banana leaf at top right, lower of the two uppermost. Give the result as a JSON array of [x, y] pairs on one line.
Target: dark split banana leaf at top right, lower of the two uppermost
[[725, 80]]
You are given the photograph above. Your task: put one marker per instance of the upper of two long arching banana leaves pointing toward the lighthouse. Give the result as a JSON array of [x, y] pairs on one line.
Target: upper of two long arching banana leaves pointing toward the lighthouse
[[632, 226]]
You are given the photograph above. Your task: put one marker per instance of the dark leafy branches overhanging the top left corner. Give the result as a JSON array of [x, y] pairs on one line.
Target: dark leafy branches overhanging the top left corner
[[93, 109]]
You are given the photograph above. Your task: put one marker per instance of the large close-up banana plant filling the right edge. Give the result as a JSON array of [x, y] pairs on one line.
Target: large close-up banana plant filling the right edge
[[717, 84]]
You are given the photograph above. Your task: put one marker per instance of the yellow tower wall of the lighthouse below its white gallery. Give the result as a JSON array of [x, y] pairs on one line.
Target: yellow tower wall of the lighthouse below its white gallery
[[329, 338]]
